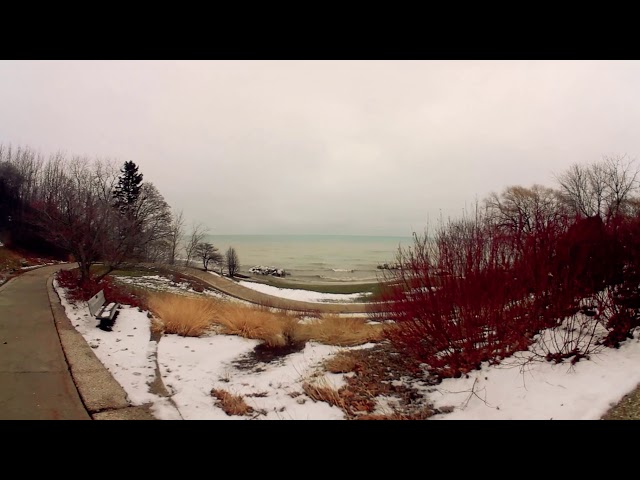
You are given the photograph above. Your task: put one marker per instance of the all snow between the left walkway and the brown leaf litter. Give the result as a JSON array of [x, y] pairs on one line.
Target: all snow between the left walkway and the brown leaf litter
[[191, 366]]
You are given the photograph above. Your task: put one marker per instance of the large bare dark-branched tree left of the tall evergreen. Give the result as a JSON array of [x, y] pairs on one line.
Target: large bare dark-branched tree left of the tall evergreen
[[70, 205]]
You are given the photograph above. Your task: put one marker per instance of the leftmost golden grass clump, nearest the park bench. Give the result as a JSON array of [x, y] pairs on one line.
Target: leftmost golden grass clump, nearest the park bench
[[182, 315]]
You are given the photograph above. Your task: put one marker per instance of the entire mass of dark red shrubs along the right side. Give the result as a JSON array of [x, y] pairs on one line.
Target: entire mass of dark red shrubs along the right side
[[475, 292]]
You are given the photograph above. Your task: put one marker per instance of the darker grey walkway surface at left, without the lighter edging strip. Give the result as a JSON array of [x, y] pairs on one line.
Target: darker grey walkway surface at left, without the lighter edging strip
[[35, 382]]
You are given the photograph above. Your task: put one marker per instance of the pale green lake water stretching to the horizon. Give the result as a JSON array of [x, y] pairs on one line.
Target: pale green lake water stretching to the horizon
[[313, 258]]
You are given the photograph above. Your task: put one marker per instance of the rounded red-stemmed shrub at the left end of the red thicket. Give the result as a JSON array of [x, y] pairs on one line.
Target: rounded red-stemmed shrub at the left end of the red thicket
[[456, 301]]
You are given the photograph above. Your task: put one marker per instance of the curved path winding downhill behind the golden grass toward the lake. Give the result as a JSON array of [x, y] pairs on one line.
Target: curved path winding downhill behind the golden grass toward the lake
[[236, 290]]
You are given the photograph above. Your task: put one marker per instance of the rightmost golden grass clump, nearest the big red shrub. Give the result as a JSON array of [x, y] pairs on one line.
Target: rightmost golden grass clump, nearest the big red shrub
[[341, 331]]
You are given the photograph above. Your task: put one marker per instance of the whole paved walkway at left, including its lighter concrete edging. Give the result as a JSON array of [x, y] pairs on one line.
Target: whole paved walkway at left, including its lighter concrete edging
[[47, 370]]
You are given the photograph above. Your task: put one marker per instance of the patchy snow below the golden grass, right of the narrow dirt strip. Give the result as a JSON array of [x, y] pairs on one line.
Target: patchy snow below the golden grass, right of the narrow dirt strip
[[192, 367]]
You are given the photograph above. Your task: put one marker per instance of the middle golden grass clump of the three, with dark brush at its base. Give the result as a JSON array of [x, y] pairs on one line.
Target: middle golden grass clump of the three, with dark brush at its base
[[276, 329]]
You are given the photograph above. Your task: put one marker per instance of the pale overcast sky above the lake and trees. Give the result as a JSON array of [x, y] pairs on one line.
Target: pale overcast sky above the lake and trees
[[326, 147]]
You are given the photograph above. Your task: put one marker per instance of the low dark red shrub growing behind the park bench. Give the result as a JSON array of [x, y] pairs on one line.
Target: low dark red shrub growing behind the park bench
[[83, 291]]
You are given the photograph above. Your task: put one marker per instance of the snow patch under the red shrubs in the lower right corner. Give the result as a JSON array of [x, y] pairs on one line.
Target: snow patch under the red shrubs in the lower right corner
[[520, 388]]
